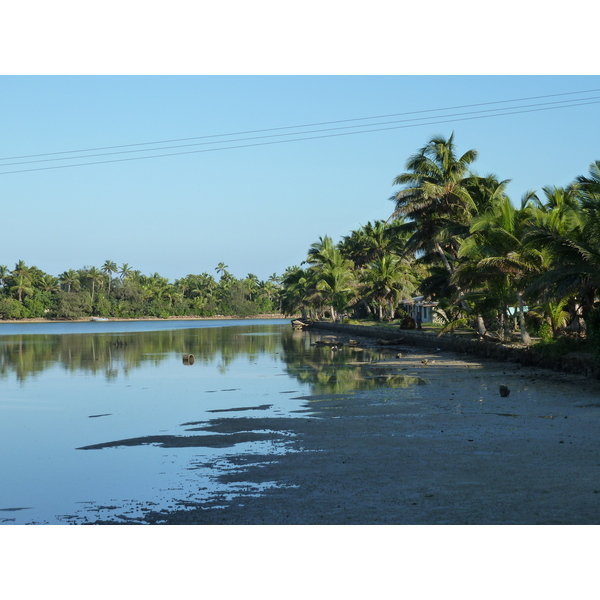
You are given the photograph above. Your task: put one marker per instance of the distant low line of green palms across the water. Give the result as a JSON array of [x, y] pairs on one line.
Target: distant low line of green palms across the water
[[112, 291]]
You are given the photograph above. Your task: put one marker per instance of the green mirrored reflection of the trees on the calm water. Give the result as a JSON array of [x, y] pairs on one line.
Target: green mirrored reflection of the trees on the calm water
[[325, 369]]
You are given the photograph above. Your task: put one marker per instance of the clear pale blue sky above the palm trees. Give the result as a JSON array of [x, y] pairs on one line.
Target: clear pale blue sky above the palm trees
[[257, 208]]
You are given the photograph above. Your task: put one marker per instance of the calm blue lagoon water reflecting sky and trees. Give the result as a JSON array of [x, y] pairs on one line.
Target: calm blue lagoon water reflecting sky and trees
[[65, 386]]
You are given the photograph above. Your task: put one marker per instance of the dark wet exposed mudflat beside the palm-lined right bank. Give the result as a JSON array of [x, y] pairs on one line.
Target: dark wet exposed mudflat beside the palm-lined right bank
[[449, 451]]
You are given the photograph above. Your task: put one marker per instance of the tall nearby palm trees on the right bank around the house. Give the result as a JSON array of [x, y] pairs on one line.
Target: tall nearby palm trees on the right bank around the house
[[457, 238]]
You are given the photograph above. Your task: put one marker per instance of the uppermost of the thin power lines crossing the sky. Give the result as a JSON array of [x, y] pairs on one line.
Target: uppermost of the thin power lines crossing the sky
[[303, 126]]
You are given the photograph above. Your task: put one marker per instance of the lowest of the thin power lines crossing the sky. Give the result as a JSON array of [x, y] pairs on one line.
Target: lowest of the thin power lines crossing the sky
[[452, 120]]
